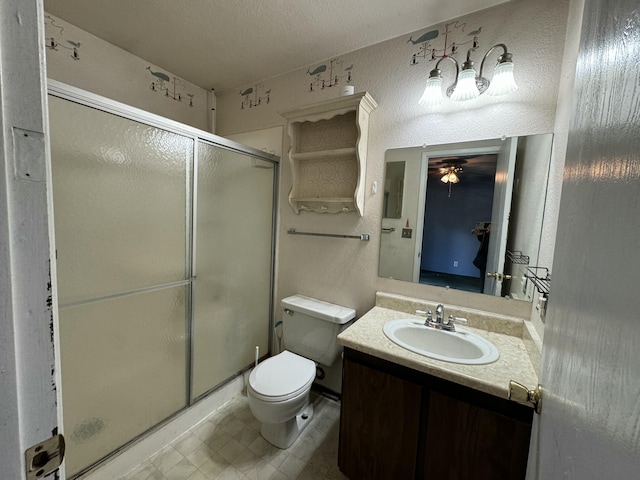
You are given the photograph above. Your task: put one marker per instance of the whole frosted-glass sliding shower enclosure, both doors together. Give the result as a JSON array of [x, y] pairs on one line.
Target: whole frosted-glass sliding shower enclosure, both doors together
[[165, 240]]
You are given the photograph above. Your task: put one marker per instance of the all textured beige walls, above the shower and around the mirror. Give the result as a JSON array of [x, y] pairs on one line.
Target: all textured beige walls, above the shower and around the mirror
[[346, 271]]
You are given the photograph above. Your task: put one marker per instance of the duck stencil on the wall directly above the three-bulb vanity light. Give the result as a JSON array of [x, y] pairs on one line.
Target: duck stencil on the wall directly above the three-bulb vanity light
[[453, 37]]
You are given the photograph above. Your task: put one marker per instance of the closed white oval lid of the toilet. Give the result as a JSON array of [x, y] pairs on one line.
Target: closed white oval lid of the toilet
[[282, 375]]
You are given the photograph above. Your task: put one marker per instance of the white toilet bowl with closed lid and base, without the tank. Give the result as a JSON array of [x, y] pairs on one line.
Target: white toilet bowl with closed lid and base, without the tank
[[278, 393]]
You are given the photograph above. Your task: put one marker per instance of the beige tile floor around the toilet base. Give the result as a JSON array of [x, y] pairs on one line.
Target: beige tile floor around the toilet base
[[228, 445]]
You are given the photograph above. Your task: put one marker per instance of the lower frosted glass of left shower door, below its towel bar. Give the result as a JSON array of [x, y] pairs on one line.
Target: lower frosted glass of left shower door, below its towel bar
[[123, 370]]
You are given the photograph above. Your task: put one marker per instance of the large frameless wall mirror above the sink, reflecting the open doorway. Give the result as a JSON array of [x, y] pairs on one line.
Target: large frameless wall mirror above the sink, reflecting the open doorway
[[466, 209]]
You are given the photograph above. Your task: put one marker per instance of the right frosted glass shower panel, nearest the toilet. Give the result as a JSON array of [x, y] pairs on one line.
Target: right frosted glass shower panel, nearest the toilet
[[233, 264]]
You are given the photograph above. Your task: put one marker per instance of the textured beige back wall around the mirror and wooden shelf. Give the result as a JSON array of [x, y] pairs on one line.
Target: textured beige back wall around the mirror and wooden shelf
[[346, 271]]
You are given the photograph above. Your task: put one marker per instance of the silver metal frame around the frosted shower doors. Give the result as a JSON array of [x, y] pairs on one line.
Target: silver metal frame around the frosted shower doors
[[88, 99]]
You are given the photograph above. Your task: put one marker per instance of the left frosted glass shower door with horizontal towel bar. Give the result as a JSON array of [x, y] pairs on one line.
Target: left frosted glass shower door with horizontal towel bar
[[121, 205]]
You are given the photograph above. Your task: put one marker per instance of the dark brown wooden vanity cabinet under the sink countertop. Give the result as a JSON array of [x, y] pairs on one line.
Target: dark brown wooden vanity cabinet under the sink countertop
[[399, 423]]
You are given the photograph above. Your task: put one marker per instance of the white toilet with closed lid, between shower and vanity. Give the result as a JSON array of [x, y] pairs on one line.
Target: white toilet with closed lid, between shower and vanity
[[278, 388]]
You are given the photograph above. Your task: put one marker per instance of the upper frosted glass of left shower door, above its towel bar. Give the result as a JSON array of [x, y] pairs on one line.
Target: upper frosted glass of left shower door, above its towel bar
[[120, 197]]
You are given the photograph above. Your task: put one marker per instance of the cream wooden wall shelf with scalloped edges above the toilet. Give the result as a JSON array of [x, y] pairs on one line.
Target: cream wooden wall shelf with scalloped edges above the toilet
[[328, 154]]
